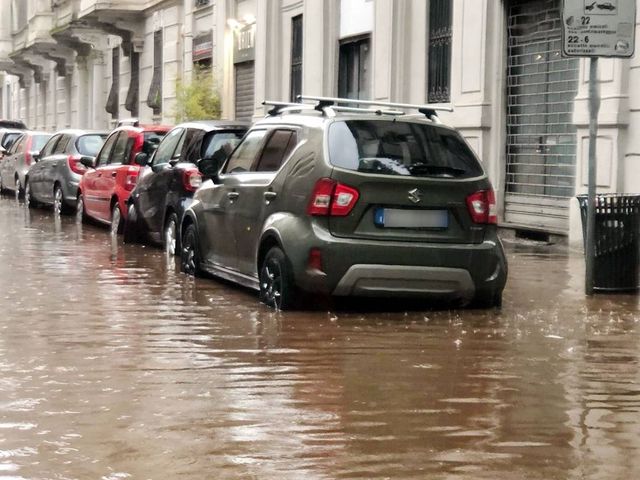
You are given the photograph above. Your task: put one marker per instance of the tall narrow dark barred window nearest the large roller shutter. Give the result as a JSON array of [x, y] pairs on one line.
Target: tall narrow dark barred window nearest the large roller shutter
[[440, 33]]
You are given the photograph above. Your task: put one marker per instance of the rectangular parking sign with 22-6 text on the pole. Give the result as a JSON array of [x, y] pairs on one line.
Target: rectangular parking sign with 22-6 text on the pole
[[598, 28]]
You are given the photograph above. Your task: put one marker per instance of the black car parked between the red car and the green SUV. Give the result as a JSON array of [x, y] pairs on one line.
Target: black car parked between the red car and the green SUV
[[166, 185]]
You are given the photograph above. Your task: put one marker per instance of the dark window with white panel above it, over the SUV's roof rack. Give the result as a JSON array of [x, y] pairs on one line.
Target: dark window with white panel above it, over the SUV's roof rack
[[353, 73]]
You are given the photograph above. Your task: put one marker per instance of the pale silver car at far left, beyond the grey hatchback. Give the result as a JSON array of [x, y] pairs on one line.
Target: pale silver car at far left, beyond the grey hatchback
[[19, 158]]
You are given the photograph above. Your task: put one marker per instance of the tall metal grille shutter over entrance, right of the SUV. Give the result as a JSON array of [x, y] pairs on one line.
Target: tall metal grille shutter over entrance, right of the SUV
[[541, 138]]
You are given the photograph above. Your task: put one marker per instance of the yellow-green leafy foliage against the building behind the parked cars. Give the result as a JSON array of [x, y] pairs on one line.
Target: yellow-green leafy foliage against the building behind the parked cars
[[197, 99]]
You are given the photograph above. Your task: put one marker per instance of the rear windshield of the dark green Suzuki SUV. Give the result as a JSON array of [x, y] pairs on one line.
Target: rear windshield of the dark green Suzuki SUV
[[389, 147]]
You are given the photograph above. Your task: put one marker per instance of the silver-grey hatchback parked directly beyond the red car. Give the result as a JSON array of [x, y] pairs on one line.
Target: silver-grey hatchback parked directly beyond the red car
[[54, 178]]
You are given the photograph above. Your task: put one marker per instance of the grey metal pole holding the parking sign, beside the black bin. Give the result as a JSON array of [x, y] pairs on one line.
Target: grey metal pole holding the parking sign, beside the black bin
[[594, 107]]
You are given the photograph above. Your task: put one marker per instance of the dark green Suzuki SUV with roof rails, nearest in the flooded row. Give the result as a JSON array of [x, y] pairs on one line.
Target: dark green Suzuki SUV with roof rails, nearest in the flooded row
[[320, 198]]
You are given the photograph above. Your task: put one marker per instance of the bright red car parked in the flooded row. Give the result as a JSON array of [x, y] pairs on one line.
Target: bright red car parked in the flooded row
[[105, 188]]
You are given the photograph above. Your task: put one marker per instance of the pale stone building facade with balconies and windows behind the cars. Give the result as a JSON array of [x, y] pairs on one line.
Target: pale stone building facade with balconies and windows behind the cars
[[521, 105]]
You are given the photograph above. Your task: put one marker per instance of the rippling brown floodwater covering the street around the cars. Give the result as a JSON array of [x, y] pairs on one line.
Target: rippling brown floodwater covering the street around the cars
[[114, 365]]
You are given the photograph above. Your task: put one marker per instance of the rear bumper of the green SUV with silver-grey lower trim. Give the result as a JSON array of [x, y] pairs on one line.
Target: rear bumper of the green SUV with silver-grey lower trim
[[404, 269]]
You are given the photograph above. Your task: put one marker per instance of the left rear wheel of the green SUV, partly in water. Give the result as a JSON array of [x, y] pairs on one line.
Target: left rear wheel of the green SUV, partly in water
[[277, 288]]
